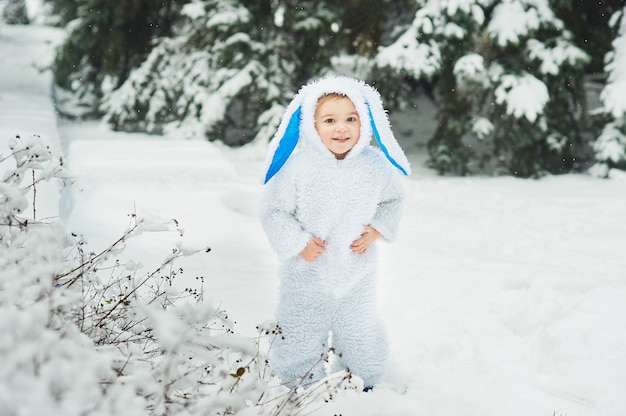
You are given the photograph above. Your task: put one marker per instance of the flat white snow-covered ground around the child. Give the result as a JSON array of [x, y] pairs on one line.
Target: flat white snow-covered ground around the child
[[502, 296]]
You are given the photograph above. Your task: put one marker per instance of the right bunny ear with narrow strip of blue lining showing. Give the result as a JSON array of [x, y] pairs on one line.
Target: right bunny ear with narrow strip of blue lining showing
[[384, 137]]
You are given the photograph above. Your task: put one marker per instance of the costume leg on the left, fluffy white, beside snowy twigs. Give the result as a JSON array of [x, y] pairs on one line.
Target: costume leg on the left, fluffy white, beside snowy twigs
[[304, 317]]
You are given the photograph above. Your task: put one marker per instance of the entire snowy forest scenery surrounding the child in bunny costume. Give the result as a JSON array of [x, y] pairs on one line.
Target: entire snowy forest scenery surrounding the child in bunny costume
[[135, 278]]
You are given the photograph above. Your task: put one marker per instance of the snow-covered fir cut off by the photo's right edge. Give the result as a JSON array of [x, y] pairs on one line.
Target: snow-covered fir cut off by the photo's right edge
[[610, 146]]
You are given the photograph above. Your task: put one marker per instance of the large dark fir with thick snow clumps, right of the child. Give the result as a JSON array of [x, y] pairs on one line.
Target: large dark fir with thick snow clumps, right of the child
[[507, 78]]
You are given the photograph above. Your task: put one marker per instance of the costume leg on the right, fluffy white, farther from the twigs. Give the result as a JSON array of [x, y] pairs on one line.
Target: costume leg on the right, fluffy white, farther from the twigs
[[359, 335]]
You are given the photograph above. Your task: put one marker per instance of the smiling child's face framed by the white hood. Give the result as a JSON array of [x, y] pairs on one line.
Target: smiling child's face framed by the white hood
[[338, 124]]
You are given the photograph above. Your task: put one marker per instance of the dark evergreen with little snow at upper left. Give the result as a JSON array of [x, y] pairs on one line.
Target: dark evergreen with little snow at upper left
[[107, 39]]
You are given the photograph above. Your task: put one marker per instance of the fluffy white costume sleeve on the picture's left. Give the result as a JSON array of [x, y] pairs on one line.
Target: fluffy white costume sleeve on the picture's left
[[277, 212]]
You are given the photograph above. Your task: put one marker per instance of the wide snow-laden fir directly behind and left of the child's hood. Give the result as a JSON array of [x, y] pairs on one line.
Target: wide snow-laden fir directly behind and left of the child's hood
[[227, 70]]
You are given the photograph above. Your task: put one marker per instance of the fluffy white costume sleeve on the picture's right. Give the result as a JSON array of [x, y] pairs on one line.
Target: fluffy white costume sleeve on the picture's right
[[387, 215]]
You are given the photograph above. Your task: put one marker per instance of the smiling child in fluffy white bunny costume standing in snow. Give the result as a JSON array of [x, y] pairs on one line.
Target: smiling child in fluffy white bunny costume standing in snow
[[323, 208]]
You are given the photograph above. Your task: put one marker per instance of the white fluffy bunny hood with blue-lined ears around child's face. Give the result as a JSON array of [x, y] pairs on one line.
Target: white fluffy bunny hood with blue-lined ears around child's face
[[298, 122]]
